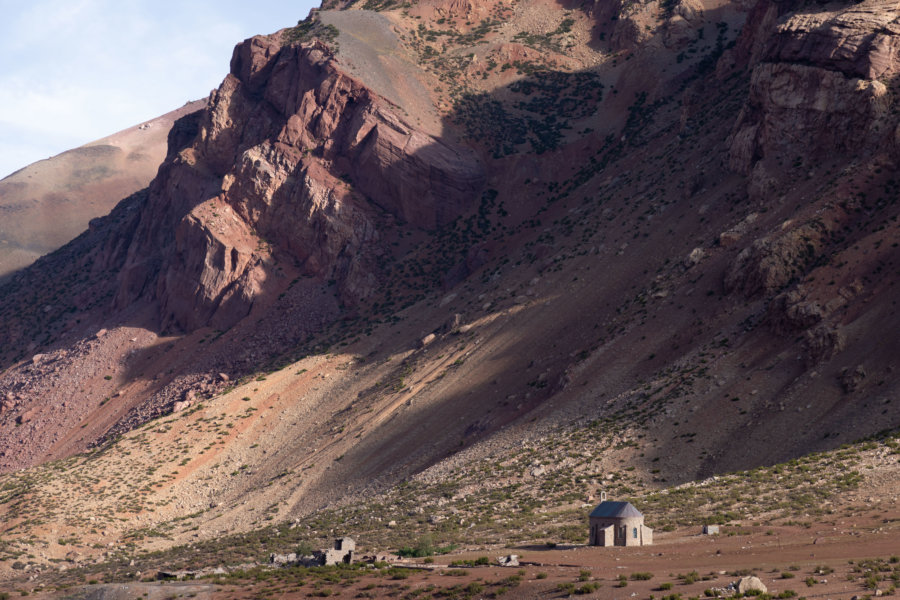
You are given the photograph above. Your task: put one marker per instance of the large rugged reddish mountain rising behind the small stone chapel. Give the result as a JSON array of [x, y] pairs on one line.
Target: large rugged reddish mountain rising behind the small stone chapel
[[449, 252]]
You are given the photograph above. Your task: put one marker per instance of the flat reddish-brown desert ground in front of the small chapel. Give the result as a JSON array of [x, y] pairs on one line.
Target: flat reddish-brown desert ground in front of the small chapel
[[838, 558]]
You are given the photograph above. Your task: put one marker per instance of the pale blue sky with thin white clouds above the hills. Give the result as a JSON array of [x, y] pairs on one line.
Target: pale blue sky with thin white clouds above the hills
[[73, 71]]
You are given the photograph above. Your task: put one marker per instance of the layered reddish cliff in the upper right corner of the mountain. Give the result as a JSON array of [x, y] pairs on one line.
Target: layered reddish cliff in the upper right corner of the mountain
[[820, 88]]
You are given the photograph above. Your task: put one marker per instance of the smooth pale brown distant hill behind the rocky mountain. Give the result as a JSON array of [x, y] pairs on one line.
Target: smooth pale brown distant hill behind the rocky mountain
[[49, 203]]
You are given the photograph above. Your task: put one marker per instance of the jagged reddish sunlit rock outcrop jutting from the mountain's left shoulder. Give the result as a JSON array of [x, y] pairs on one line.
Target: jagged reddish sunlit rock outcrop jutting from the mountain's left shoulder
[[293, 160]]
